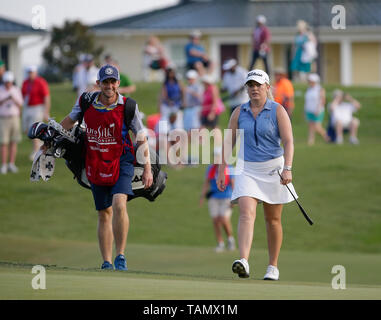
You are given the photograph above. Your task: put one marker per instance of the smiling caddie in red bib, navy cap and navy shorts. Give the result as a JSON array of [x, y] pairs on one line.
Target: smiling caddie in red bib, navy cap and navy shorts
[[109, 161]]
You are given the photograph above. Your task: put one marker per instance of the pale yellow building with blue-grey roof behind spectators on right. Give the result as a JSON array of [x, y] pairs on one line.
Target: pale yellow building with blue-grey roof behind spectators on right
[[349, 56]]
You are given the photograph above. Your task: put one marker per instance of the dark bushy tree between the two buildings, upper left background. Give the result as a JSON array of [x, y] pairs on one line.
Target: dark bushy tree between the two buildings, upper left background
[[66, 46]]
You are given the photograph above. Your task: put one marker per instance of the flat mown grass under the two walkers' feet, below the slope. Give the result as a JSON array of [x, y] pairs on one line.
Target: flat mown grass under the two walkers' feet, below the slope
[[178, 272]]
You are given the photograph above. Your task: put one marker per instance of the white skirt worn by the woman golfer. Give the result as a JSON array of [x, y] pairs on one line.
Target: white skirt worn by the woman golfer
[[260, 180]]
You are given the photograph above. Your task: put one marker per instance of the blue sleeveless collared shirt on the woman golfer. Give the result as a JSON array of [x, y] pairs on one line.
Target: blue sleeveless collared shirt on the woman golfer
[[261, 135]]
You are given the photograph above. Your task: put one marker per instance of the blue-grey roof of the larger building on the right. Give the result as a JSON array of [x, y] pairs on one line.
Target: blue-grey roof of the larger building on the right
[[241, 14]]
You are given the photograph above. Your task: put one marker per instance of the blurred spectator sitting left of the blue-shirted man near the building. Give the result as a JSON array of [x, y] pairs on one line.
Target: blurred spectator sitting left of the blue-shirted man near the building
[[154, 56]]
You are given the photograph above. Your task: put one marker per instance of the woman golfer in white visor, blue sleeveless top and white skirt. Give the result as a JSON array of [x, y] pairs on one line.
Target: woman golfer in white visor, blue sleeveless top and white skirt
[[264, 167]]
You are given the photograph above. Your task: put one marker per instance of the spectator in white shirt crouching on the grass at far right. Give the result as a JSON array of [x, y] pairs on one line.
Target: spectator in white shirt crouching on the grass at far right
[[342, 108]]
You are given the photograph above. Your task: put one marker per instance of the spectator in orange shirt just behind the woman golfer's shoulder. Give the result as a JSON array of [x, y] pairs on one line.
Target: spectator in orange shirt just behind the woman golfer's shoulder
[[283, 90]]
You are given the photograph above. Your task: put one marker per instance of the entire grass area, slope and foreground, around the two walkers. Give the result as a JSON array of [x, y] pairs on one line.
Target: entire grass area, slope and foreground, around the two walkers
[[170, 242]]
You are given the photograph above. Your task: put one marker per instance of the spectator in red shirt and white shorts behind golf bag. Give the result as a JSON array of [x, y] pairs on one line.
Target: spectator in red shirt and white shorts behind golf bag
[[35, 91]]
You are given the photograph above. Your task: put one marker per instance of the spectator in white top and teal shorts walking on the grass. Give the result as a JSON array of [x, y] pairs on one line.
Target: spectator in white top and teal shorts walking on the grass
[[314, 108]]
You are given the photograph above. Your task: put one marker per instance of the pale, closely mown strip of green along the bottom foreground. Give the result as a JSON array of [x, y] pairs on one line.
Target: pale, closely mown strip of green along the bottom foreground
[[96, 285]]
